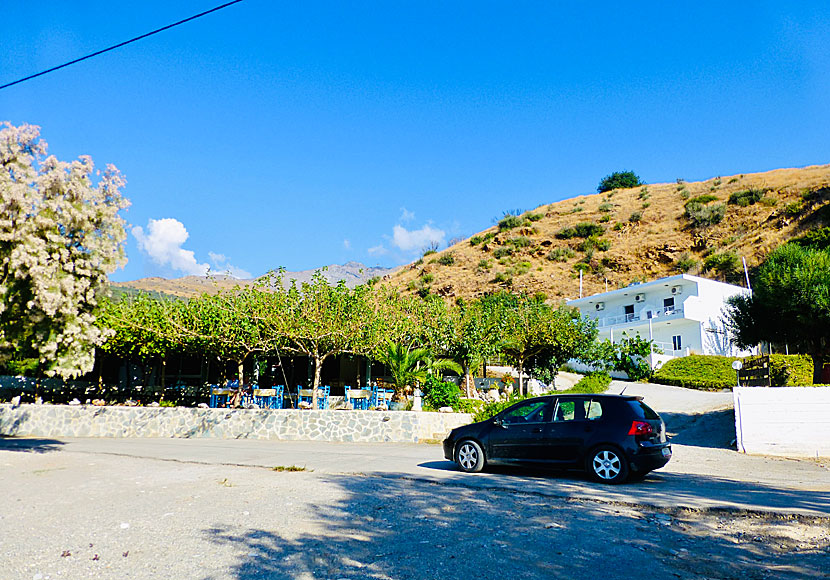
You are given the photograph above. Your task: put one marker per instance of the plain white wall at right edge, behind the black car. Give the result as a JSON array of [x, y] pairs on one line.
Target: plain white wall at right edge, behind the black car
[[787, 421]]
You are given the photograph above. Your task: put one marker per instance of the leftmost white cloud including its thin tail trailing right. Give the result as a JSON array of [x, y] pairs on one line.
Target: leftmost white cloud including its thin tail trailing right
[[163, 242]]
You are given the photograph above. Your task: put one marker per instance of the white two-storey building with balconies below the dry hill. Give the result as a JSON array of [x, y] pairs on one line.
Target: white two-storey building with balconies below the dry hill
[[682, 314]]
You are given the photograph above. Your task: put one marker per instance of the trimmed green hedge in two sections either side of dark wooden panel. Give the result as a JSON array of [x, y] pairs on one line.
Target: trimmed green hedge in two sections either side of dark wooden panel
[[711, 373]]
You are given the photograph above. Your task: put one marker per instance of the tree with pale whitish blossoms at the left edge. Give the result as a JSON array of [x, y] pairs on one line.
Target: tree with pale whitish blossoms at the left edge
[[60, 235]]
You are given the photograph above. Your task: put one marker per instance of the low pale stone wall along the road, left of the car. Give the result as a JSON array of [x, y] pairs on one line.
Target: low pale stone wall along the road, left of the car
[[284, 424]]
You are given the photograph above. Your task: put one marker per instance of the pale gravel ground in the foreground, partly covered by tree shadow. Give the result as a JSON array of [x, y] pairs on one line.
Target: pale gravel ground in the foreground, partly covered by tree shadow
[[78, 515]]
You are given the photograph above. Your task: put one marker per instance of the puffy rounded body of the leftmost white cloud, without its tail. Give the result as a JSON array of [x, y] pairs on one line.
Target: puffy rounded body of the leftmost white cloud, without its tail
[[163, 244]]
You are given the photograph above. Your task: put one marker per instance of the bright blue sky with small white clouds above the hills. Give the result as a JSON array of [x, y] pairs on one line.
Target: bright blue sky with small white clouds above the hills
[[307, 133]]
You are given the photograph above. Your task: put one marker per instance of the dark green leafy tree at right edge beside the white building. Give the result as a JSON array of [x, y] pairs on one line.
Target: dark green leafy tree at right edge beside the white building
[[790, 303]]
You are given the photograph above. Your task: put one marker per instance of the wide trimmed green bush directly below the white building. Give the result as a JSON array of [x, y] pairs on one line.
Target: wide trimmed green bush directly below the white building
[[697, 371]]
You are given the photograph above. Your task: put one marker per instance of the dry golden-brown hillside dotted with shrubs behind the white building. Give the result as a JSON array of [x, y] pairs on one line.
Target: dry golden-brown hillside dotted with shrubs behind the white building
[[633, 234]]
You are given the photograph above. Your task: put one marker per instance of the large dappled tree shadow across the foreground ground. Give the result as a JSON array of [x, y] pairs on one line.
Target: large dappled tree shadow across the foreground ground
[[398, 528]]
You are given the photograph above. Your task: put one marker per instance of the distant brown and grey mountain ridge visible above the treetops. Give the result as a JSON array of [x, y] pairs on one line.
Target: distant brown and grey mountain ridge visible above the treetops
[[352, 273]]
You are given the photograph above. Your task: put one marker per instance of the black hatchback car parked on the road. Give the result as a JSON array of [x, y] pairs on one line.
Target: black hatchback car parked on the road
[[612, 437]]
